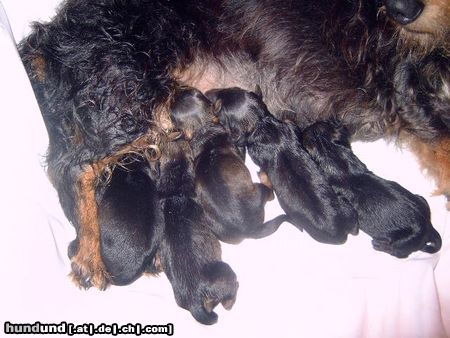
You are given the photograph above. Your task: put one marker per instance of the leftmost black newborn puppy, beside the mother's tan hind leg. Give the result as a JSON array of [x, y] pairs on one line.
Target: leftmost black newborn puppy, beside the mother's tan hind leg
[[130, 223]]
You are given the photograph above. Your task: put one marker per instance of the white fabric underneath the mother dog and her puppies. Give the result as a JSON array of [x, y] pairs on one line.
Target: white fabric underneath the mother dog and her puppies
[[290, 285]]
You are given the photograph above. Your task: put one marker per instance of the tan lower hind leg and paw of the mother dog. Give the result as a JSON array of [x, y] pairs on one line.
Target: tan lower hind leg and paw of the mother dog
[[87, 264]]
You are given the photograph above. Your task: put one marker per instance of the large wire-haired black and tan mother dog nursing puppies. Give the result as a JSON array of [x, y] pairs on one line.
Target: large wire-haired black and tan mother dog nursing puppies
[[104, 70]]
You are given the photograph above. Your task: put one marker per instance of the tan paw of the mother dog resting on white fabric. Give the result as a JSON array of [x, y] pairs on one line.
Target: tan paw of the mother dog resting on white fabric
[[88, 272]]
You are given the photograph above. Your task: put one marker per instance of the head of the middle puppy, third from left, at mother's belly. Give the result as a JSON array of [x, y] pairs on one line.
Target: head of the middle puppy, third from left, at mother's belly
[[191, 110]]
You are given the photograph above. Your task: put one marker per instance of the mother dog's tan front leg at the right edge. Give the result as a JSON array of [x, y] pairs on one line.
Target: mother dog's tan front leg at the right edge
[[434, 158]]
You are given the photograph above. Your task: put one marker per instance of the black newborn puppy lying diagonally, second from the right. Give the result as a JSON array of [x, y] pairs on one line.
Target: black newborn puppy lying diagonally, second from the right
[[302, 191]]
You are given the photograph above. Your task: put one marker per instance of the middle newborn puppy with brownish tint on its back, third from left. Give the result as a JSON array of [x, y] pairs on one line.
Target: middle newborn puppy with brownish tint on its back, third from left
[[233, 204]]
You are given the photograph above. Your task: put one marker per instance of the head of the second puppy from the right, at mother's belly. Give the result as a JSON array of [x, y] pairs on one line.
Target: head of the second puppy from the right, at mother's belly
[[238, 110]]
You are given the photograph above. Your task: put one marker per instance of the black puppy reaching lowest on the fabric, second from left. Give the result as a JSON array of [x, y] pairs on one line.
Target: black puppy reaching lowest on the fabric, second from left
[[190, 253]]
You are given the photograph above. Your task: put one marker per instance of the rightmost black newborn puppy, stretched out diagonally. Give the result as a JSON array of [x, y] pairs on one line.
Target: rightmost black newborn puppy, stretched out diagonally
[[398, 220]]
